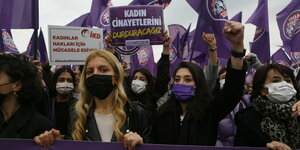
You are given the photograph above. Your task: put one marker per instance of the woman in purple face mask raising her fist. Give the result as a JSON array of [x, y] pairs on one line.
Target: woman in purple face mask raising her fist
[[191, 115]]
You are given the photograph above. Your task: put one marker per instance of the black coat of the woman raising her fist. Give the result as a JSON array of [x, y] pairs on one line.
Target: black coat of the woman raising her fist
[[169, 130]]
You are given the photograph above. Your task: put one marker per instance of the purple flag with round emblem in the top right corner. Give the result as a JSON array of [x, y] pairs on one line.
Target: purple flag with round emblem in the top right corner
[[288, 21]]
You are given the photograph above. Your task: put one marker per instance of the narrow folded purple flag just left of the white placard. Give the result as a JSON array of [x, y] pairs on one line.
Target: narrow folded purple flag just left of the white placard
[[42, 50]]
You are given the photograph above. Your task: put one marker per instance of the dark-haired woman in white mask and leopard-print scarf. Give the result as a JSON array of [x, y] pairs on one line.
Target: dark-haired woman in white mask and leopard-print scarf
[[272, 121]]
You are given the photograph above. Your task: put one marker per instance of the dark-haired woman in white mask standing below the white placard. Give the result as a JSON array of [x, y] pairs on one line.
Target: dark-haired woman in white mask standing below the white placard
[[61, 101]]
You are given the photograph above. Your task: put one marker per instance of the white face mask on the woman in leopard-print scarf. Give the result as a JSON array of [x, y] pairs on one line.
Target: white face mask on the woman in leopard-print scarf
[[280, 92]]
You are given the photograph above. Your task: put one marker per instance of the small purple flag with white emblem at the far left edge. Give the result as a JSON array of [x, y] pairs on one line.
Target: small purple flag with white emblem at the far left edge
[[7, 43]]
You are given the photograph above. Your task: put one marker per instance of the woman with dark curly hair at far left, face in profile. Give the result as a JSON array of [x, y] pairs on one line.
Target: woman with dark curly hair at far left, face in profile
[[20, 89]]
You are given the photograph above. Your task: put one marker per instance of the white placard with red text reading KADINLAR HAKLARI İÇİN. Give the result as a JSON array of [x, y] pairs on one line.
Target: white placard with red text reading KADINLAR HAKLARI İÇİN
[[71, 45]]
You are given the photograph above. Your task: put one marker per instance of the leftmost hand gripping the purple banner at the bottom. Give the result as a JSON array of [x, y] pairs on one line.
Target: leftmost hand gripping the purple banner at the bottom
[[47, 138]]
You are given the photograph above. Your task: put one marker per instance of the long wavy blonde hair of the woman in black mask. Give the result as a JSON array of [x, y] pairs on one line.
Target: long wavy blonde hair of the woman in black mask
[[83, 105]]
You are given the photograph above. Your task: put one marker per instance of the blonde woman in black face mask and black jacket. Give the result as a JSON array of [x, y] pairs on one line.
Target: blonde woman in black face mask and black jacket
[[103, 112]]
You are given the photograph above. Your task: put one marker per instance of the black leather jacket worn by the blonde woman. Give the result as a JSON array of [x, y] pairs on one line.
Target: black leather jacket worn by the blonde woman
[[135, 122]]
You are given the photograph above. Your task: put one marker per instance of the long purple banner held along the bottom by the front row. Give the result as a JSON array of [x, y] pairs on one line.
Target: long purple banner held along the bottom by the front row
[[17, 144]]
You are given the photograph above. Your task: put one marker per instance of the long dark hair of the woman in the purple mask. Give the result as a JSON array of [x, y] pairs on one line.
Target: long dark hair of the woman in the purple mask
[[201, 100]]
